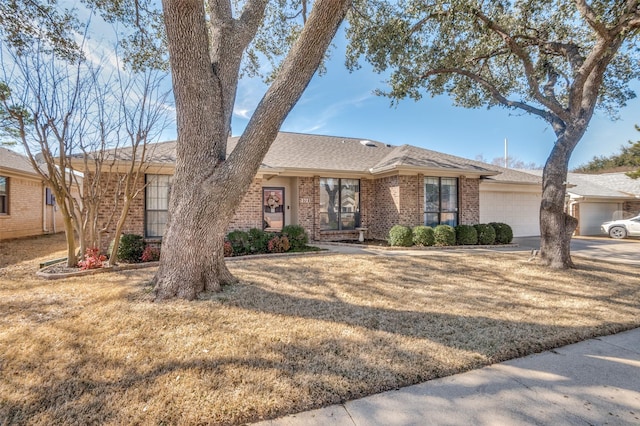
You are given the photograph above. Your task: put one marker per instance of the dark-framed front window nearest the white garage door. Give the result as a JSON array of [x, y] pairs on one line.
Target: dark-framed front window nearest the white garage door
[[440, 201]]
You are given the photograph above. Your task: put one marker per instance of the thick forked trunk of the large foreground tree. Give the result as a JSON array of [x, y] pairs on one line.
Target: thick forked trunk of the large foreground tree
[[208, 187]]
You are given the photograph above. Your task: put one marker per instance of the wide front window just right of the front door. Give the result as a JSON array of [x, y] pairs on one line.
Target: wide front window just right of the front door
[[339, 204]]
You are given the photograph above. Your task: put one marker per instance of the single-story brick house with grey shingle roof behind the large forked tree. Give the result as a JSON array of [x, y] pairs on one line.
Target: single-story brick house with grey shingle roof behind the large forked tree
[[332, 186]]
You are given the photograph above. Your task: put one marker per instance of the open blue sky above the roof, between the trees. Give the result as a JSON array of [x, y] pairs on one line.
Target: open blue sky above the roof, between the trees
[[343, 104]]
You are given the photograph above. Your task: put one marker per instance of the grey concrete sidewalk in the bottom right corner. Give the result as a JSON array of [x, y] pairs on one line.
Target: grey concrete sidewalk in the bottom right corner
[[594, 382]]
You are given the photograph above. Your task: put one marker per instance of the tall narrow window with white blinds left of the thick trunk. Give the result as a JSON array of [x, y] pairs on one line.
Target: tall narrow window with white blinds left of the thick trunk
[[157, 194]]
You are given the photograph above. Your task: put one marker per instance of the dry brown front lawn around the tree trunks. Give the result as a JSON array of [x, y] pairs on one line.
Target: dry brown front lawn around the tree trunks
[[294, 334]]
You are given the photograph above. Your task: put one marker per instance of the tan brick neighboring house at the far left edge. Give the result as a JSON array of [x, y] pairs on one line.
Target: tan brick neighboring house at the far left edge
[[27, 207]]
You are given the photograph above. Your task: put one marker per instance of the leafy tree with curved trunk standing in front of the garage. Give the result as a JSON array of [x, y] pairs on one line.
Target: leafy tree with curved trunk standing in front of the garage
[[556, 60]]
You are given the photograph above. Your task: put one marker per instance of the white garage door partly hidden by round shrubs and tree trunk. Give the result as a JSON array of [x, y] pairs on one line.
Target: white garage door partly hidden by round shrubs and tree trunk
[[520, 210]]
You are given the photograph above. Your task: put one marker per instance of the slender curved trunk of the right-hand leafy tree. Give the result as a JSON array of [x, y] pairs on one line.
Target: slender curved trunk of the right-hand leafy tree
[[556, 226]]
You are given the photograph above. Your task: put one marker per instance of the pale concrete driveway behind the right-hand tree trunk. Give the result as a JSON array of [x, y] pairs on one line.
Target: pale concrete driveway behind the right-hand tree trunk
[[602, 248]]
